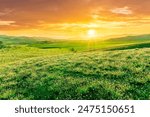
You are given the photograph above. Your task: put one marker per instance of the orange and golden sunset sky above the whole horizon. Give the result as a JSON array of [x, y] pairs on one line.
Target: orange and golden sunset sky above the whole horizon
[[74, 18]]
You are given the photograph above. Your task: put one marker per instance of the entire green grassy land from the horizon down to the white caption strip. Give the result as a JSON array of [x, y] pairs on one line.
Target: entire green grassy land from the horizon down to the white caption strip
[[78, 69]]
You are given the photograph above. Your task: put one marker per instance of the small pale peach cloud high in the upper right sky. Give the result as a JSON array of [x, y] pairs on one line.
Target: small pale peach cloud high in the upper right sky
[[125, 11]]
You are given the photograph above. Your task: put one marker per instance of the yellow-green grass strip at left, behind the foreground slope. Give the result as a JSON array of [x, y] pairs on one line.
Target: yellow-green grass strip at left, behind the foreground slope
[[19, 53]]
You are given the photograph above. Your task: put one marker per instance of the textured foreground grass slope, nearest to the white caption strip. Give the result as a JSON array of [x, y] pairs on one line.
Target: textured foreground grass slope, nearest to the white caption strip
[[121, 74]]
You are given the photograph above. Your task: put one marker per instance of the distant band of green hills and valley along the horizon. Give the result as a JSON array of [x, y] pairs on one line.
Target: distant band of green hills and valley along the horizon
[[78, 45]]
